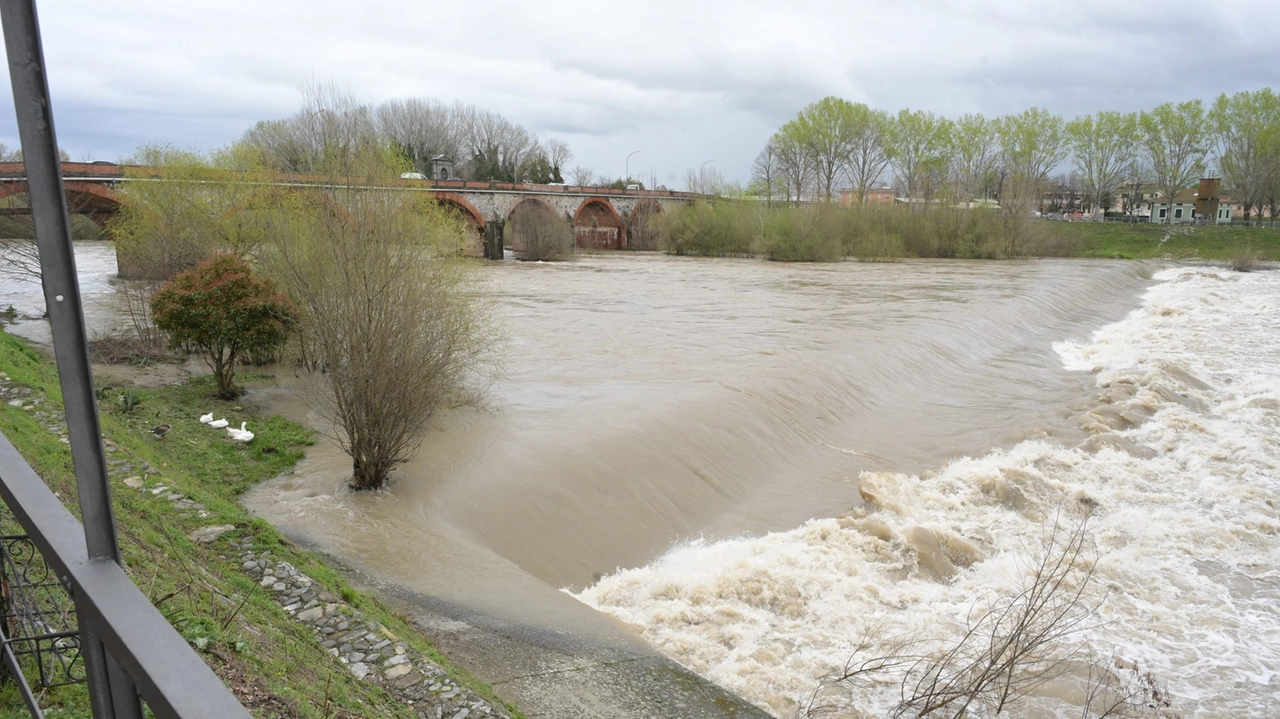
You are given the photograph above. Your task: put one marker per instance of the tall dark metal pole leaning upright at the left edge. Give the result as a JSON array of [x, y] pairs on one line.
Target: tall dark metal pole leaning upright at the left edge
[[111, 690]]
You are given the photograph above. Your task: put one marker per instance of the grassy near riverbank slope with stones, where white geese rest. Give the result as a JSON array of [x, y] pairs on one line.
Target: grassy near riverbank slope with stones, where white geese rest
[[275, 663]]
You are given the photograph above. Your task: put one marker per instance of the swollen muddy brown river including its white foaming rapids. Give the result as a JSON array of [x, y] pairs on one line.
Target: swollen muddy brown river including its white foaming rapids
[[685, 446]]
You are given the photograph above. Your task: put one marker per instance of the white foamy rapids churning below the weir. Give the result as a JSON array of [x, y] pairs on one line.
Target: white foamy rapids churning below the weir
[[1183, 464]]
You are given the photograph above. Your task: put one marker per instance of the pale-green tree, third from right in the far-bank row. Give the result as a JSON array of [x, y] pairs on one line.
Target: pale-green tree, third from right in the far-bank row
[[1104, 146]]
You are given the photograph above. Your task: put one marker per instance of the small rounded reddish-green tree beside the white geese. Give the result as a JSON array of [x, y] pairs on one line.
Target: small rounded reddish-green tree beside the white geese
[[226, 312]]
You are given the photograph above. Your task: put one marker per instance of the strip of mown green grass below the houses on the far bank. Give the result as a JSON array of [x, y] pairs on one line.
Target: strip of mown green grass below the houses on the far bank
[[1177, 242]]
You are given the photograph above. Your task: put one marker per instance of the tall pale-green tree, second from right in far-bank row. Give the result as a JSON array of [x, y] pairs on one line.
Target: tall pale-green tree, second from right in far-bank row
[[1176, 143]]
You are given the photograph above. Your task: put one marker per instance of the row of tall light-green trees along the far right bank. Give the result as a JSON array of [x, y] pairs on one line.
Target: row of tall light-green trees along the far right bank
[[835, 144]]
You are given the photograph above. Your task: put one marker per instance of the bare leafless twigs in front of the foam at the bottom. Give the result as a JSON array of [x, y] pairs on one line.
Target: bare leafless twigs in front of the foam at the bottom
[[1008, 649]]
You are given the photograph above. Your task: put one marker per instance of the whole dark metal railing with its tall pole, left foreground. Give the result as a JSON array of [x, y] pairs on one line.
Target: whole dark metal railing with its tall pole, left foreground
[[129, 652]]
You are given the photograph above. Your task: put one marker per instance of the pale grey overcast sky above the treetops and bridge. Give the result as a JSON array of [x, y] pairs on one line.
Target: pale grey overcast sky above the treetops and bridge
[[683, 83]]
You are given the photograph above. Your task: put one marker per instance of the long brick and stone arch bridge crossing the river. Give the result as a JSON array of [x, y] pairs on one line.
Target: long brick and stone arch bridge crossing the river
[[602, 218]]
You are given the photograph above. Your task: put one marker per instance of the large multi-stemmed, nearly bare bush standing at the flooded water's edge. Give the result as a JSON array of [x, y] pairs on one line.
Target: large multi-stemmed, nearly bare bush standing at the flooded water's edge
[[387, 314]]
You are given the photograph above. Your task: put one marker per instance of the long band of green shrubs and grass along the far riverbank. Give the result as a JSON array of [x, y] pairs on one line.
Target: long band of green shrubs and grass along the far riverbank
[[826, 232]]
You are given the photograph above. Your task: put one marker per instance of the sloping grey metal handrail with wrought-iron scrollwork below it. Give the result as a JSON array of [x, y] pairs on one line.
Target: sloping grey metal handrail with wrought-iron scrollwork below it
[[45, 594]]
